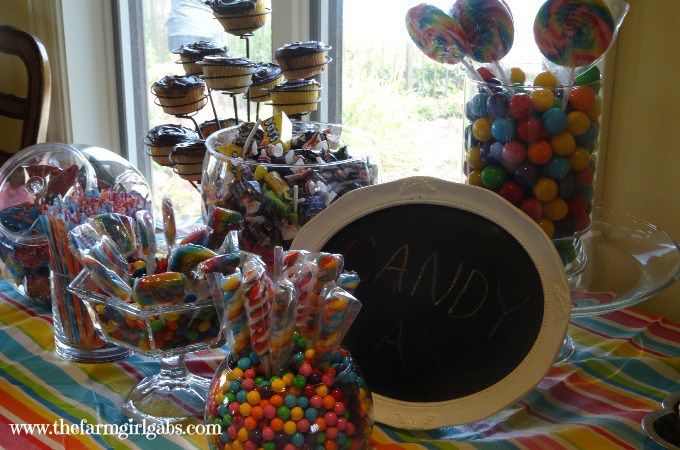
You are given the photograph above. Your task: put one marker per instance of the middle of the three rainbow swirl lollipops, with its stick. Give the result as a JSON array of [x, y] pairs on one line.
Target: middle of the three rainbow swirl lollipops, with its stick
[[488, 28]]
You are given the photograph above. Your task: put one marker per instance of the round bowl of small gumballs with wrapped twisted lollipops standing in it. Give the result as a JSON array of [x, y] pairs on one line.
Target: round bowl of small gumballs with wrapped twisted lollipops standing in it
[[287, 382]]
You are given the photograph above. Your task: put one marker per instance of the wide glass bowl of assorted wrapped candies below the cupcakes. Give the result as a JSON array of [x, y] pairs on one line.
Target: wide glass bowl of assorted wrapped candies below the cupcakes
[[279, 174]]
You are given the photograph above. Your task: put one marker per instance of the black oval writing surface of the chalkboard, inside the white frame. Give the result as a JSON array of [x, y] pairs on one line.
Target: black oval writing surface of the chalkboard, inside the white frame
[[452, 303]]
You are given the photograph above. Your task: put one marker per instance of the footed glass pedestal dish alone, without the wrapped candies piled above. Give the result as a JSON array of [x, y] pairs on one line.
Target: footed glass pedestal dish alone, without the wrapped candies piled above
[[167, 332]]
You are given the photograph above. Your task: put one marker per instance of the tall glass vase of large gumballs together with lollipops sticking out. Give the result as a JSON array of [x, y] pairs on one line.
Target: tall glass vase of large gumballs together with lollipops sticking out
[[534, 139]]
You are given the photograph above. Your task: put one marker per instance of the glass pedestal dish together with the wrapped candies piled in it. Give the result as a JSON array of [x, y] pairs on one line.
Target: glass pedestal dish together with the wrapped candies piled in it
[[160, 307]]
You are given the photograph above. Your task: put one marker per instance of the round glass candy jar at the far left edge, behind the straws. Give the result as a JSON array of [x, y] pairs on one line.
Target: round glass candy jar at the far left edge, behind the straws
[[29, 181]]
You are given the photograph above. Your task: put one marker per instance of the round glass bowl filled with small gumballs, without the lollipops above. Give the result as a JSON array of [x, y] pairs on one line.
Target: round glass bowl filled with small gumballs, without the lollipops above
[[303, 407]]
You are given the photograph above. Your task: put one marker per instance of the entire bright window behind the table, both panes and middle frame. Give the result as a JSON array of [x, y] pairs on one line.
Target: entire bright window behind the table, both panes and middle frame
[[379, 82]]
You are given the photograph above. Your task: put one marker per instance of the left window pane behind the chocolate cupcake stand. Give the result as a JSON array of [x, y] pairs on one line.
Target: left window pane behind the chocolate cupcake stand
[[167, 25]]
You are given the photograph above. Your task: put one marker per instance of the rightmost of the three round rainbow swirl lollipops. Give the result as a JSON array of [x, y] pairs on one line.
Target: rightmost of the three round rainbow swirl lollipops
[[573, 33]]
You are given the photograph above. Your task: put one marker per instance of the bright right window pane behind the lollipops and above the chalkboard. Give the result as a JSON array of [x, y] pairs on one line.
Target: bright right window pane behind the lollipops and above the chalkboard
[[412, 105]]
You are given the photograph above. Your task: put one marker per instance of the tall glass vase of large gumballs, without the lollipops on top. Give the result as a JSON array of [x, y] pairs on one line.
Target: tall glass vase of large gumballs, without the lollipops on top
[[536, 145]]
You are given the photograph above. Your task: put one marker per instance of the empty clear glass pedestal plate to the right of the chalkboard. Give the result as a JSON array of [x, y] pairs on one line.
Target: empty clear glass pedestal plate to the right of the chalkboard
[[618, 262]]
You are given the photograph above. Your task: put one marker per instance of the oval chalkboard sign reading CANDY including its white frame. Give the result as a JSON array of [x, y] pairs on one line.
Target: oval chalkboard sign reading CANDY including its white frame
[[465, 300]]
